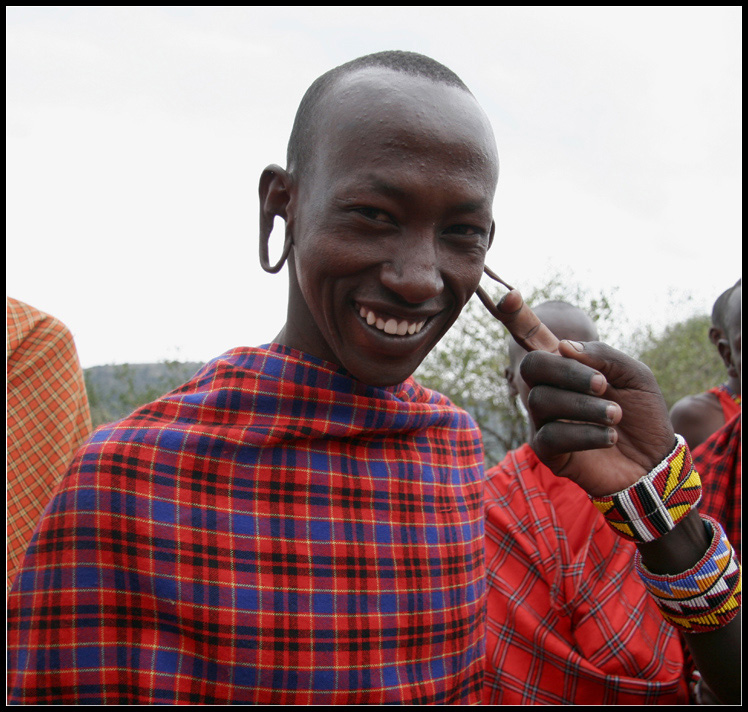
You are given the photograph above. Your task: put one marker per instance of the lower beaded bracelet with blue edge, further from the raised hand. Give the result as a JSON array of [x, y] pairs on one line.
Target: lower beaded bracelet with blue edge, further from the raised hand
[[708, 595]]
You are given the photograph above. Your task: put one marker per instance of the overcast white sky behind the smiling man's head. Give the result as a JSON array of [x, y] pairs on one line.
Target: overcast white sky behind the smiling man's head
[[136, 137]]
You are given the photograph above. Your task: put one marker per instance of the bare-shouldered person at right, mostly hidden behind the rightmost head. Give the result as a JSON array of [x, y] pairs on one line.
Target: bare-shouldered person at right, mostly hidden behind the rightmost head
[[696, 417]]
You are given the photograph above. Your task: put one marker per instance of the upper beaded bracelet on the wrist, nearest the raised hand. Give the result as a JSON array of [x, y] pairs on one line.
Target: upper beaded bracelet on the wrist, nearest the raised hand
[[658, 501]]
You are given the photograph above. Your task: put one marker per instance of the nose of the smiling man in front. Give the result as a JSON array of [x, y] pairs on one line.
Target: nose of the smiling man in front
[[413, 271]]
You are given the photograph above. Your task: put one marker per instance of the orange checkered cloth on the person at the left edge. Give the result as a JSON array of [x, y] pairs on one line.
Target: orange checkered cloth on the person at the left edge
[[48, 419]]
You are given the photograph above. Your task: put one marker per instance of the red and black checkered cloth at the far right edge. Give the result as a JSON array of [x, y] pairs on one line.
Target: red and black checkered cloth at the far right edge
[[718, 461]]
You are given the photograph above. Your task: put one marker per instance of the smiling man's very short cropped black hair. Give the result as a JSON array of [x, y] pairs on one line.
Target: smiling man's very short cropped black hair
[[302, 133]]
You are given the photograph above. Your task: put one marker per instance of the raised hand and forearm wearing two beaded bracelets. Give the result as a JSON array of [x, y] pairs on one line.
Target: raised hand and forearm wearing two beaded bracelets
[[602, 421]]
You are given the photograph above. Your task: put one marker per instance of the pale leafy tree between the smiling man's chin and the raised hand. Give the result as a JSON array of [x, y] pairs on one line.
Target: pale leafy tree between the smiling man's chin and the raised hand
[[468, 364]]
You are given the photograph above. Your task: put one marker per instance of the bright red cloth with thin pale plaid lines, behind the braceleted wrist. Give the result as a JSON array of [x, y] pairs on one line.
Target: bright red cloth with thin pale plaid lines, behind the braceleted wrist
[[568, 620]]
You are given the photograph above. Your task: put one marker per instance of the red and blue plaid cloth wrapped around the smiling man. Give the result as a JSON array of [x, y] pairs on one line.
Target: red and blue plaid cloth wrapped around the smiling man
[[271, 532]]
